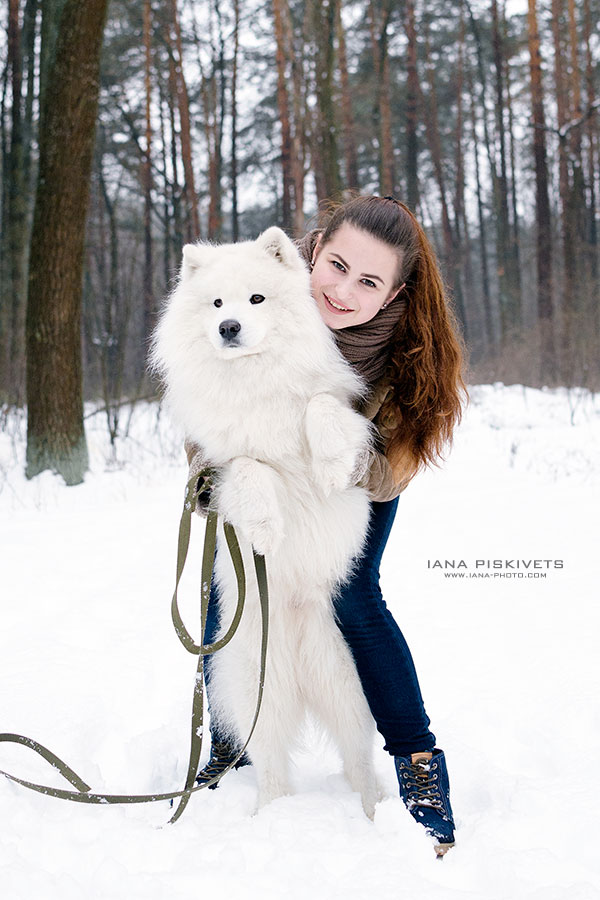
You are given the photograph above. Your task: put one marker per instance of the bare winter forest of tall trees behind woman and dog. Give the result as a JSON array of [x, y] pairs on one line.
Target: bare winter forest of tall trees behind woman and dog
[[213, 119]]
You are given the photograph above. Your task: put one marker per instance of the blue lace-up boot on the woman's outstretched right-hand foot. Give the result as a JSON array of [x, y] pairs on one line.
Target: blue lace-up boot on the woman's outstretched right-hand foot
[[425, 790]]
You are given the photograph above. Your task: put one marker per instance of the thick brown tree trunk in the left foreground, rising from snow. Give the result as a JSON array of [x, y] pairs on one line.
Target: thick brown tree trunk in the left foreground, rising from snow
[[55, 433]]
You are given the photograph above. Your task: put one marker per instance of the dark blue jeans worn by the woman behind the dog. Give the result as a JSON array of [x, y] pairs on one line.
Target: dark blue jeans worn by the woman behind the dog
[[383, 660]]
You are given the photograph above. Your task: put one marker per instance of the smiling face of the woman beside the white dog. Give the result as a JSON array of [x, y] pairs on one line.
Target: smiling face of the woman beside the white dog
[[353, 276]]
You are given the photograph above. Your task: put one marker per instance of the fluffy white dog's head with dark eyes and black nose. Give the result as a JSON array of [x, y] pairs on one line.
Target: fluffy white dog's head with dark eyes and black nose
[[241, 297]]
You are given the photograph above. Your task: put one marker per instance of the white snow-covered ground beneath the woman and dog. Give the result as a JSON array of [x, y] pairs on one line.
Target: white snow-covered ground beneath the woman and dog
[[90, 666]]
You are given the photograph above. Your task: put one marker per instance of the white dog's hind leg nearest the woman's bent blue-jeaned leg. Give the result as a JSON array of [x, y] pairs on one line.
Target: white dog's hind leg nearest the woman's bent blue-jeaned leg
[[335, 694]]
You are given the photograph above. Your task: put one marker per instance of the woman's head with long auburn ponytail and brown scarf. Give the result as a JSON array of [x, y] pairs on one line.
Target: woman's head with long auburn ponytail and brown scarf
[[397, 327]]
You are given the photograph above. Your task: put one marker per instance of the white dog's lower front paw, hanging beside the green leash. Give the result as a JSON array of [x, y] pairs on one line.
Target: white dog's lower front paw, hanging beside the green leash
[[248, 499]]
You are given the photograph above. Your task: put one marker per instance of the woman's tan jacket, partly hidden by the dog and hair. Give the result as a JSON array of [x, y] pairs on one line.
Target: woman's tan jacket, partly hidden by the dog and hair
[[378, 479]]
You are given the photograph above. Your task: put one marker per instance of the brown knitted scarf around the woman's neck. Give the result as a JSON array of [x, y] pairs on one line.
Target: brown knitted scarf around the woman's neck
[[367, 347]]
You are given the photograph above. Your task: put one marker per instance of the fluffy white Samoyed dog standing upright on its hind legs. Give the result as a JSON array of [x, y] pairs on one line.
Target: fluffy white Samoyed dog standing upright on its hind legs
[[253, 375]]
